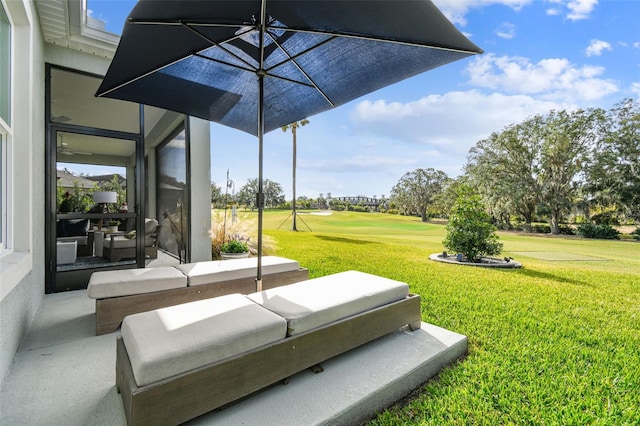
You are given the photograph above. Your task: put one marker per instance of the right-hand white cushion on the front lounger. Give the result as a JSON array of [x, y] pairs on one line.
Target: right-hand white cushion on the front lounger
[[310, 304]]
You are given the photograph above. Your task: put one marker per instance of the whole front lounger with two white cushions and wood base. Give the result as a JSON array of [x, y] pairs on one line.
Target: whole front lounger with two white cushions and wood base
[[176, 363]]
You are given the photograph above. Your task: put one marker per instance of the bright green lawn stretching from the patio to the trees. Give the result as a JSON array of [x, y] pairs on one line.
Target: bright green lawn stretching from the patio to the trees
[[556, 342]]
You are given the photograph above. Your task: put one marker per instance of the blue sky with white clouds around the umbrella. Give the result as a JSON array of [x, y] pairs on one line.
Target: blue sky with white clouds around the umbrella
[[539, 55]]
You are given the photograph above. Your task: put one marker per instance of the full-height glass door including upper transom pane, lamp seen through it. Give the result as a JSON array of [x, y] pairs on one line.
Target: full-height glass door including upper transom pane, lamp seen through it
[[94, 181]]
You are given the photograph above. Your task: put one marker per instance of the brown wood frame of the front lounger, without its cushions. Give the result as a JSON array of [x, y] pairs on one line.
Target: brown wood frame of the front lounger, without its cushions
[[188, 395]]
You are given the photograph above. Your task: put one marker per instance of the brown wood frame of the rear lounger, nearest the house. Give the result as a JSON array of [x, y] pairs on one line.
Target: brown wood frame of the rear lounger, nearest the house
[[111, 311]]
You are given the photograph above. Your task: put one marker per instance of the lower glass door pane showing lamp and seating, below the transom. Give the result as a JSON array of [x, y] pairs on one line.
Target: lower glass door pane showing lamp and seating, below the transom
[[94, 187]]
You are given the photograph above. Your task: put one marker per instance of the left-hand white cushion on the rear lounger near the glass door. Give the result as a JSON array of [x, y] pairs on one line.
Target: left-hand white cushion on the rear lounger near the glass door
[[126, 282]]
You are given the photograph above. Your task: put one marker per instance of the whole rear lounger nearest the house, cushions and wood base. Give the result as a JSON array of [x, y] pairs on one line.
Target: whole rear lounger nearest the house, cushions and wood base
[[129, 291]]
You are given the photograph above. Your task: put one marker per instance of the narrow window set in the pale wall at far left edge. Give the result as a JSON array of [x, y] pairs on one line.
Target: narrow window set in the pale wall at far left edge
[[5, 122]]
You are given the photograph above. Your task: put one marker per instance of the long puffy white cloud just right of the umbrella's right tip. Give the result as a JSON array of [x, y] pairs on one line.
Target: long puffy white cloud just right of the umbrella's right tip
[[551, 79]]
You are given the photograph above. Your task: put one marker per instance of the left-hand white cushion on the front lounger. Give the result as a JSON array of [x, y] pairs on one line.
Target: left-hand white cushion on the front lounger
[[170, 341]]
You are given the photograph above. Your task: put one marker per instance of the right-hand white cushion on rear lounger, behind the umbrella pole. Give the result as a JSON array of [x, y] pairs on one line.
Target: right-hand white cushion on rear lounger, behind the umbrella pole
[[214, 271]]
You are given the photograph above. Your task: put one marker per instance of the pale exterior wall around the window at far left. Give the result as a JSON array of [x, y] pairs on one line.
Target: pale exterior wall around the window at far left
[[22, 265]]
